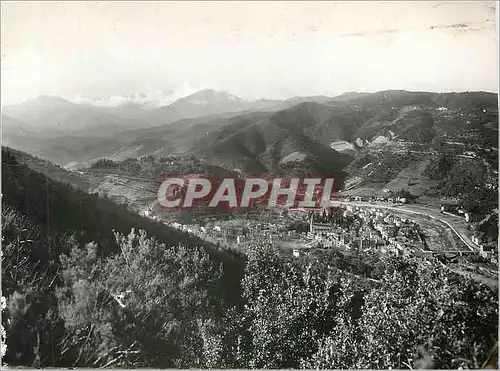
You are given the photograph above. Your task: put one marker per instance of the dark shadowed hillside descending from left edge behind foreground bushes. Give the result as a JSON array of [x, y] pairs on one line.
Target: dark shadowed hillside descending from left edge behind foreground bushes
[[44, 221]]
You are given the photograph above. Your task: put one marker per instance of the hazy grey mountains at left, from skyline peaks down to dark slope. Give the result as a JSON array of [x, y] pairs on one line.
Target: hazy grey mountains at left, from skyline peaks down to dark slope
[[63, 131]]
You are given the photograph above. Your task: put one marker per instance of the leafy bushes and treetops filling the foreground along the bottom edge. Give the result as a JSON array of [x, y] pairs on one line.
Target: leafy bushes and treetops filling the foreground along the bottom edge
[[159, 306]]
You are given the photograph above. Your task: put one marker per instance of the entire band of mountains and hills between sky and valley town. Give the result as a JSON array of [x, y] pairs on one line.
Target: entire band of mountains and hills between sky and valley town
[[318, 133]]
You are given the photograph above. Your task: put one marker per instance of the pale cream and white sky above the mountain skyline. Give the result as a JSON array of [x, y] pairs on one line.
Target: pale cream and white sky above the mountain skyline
[[91, 50]]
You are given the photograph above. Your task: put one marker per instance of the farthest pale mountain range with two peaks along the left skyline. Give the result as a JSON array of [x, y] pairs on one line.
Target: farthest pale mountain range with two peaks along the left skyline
[[53, 116]]
